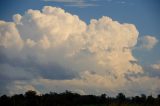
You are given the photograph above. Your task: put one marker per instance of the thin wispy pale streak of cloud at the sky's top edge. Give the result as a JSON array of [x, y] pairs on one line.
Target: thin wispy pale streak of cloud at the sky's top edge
[[75, 3]]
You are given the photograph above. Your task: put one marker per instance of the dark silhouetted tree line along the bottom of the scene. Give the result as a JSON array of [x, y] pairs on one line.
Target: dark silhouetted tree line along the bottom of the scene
[[30, 98]]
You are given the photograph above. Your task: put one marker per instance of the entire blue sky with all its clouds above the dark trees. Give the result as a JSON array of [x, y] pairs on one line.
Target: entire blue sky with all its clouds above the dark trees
[[85, 46]]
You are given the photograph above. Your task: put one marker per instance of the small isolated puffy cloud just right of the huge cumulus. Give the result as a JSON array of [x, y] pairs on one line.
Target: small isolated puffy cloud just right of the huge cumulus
[[147, 42]]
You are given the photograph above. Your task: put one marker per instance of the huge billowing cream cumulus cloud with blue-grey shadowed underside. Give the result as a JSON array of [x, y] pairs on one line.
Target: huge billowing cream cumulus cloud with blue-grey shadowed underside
[[58, 51]]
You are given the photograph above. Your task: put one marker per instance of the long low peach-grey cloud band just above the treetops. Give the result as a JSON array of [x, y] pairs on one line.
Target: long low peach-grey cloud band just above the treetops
[[90, 83]]
